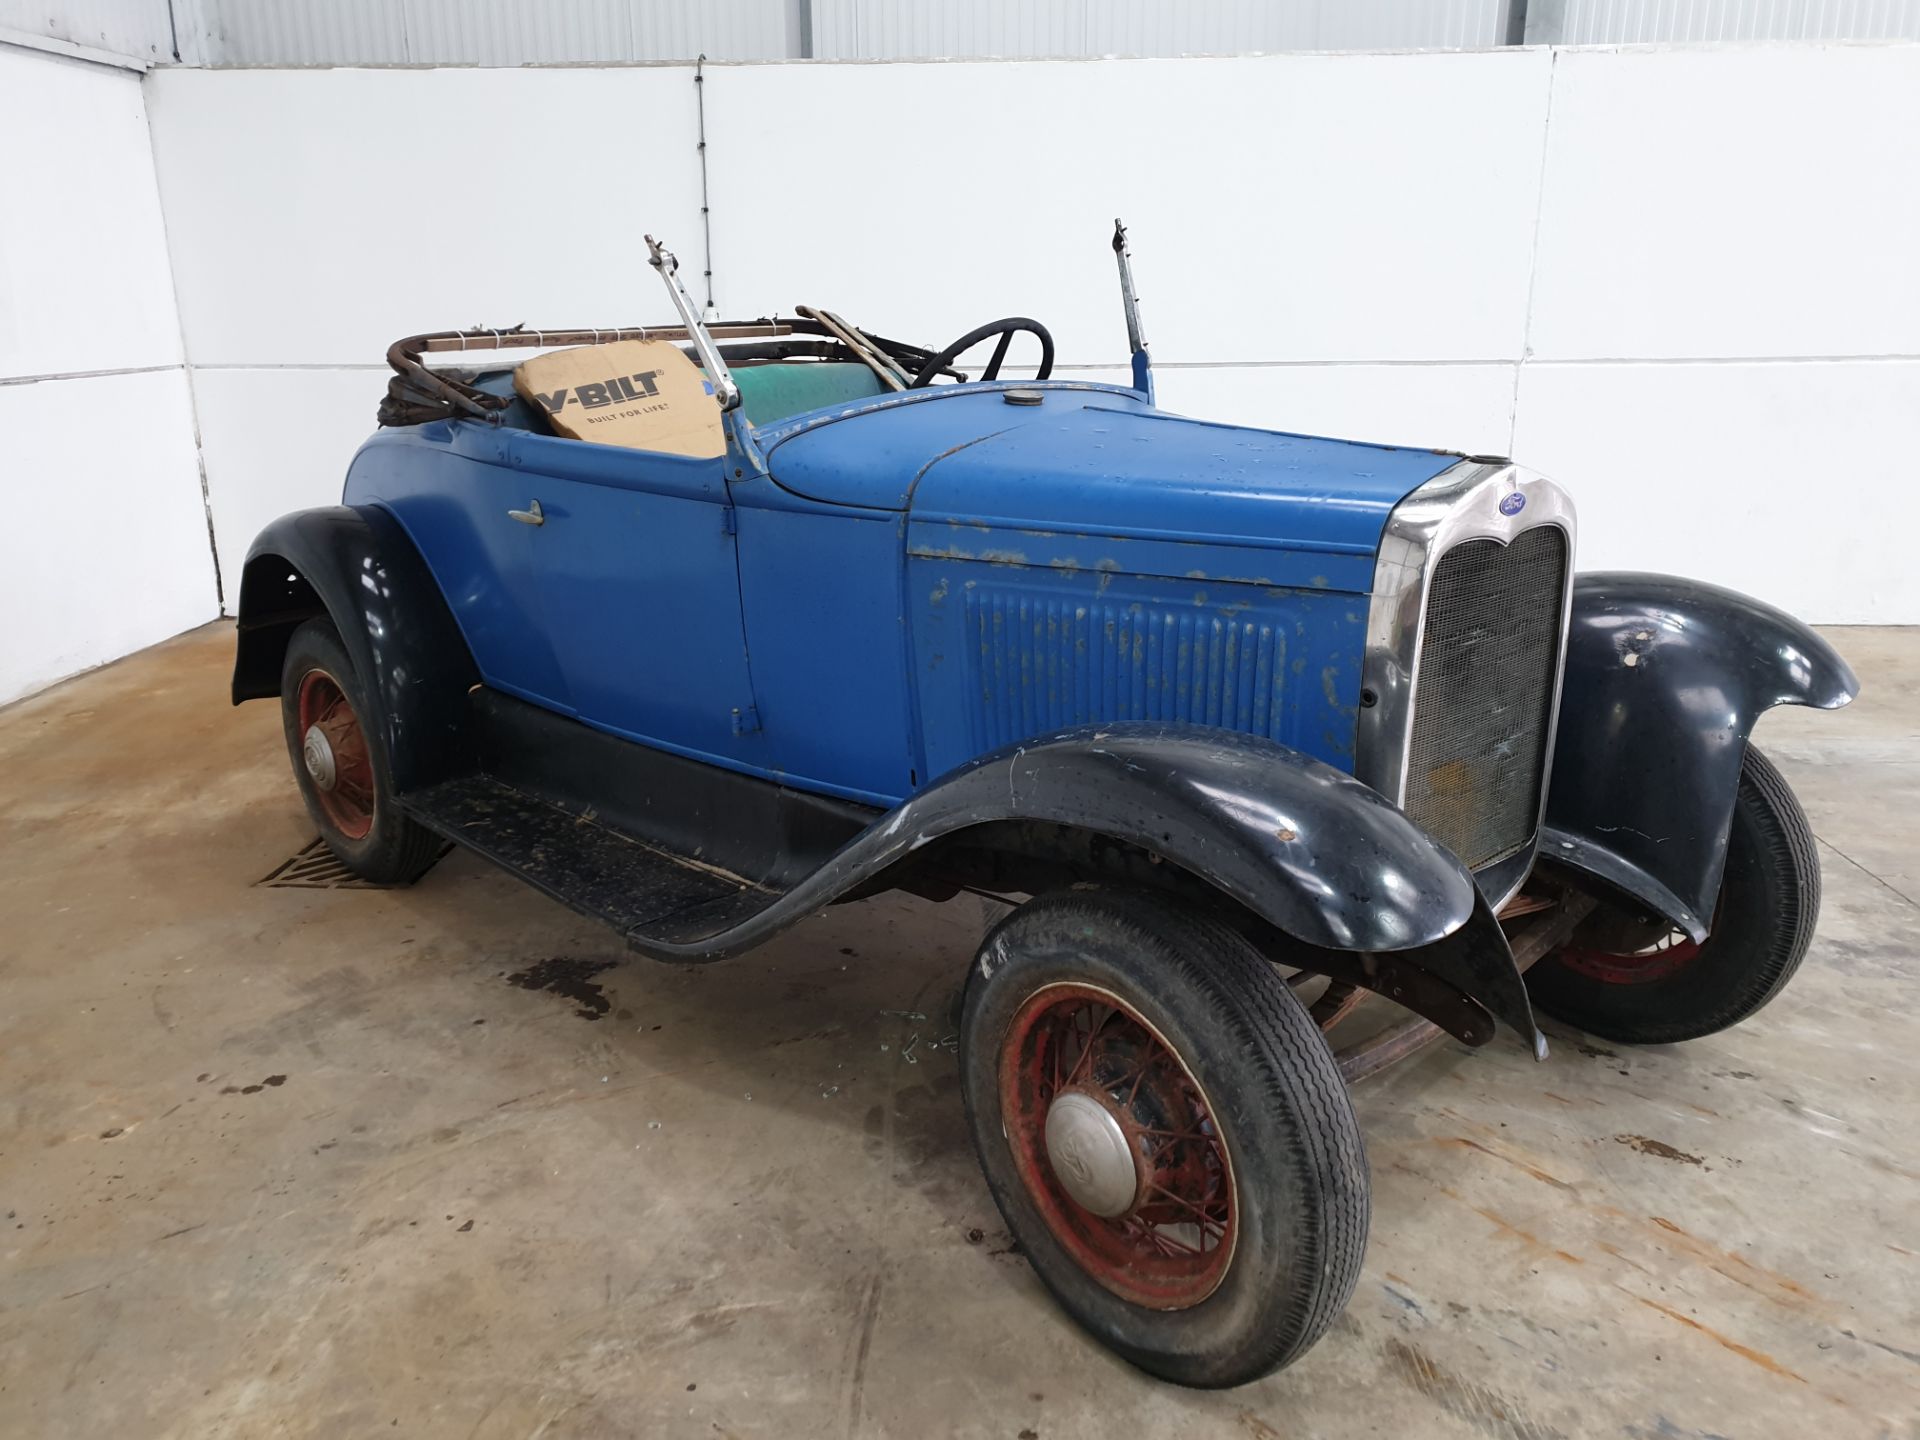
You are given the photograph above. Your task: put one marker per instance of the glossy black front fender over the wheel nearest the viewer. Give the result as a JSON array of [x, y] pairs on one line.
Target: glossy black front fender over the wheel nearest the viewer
[[1307, 850]]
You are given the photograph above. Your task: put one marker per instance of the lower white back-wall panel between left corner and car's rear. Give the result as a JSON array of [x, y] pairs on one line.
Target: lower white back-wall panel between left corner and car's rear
[[254, 475]]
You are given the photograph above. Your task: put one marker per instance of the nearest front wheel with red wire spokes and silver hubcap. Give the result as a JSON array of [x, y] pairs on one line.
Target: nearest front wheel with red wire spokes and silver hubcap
[[1166, 1134]]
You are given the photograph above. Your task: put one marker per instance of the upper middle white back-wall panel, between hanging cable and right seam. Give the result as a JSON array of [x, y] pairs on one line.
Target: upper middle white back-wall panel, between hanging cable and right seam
[[1284, 208]]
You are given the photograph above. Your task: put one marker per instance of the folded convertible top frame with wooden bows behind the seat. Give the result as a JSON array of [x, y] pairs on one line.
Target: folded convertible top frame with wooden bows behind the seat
[[420, 395]]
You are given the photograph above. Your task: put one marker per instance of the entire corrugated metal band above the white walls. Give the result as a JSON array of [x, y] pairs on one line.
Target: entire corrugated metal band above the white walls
[[623, 32]]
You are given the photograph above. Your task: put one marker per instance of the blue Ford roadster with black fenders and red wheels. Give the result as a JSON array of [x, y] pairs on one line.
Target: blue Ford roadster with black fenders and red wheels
[[706, 629]]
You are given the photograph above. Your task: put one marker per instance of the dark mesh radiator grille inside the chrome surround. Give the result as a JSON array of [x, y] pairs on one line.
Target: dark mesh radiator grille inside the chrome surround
[[1483, 694]]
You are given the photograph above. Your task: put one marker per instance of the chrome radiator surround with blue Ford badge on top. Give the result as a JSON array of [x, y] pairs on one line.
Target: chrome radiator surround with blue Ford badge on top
[[1466, 502]]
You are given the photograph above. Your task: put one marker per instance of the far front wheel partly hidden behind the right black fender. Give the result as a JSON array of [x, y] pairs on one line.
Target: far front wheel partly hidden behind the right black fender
[[1656, 986]]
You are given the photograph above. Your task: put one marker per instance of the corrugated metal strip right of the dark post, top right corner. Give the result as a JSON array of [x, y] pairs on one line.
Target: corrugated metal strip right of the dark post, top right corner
[[1654, 22]]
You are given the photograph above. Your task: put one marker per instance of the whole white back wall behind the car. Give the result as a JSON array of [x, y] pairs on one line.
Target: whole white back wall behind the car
[[1324, 243]]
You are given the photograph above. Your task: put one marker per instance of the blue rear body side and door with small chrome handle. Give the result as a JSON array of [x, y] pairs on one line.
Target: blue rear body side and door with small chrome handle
[[621, 610]]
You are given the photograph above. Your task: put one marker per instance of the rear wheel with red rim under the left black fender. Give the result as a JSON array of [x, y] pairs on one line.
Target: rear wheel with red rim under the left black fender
[[341, 763]]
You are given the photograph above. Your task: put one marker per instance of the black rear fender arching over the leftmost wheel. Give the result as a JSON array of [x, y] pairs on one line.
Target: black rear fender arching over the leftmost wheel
[[356, 565]]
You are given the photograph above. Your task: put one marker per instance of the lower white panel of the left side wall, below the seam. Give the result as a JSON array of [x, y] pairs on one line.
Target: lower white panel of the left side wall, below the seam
[[105, 546]]
